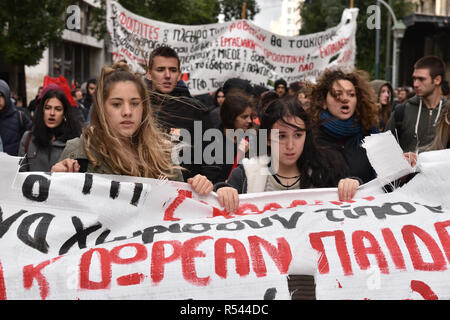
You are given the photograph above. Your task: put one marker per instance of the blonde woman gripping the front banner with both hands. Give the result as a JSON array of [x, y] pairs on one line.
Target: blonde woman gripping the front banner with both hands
[[122, 136]]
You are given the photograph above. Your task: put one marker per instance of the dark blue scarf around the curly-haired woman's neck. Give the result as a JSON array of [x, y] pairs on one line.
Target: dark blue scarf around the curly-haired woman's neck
[[343, 129]]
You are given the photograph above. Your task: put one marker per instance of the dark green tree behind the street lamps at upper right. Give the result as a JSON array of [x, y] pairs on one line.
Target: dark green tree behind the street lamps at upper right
[[320, 15]]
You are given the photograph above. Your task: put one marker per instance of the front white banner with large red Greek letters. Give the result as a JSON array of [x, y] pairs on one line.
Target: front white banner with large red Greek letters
[[90, 236]]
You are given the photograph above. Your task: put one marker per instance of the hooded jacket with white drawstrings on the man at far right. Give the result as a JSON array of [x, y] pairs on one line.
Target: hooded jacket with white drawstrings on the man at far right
[[415, 116]]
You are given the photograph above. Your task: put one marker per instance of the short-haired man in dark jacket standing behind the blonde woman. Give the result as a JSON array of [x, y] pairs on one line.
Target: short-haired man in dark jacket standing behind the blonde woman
[[174, 107]]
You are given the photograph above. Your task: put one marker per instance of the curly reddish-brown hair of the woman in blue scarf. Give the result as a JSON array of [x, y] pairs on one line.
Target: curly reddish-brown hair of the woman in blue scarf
[[366, 110]]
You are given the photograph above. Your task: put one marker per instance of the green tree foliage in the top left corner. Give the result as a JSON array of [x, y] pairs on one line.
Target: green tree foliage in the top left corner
[[29, 27]]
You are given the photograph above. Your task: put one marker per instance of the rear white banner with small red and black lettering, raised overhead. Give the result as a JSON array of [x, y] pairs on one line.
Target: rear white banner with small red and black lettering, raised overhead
[[210, 54]]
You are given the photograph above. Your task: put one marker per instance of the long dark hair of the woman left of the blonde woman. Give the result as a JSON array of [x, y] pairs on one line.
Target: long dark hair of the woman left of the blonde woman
[[68, 129]]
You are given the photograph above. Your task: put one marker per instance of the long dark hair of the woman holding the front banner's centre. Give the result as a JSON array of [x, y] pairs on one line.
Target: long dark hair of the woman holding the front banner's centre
[[317, 168]]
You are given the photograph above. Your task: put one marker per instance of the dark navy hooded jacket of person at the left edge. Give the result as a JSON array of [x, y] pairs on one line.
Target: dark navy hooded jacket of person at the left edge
[[11, 126]]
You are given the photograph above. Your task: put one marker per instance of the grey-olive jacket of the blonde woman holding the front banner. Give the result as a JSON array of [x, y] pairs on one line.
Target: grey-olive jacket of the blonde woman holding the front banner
[[75, 150]]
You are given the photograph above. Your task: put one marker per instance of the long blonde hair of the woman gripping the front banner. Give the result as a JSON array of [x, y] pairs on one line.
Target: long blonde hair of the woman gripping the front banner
[[153, 149]]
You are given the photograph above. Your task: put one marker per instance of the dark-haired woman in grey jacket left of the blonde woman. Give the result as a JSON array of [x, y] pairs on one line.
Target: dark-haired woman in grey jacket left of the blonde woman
[[54, 123]]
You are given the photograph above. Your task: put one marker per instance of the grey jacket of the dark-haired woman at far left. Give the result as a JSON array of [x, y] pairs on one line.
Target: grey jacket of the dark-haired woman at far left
[[39, 158]]
